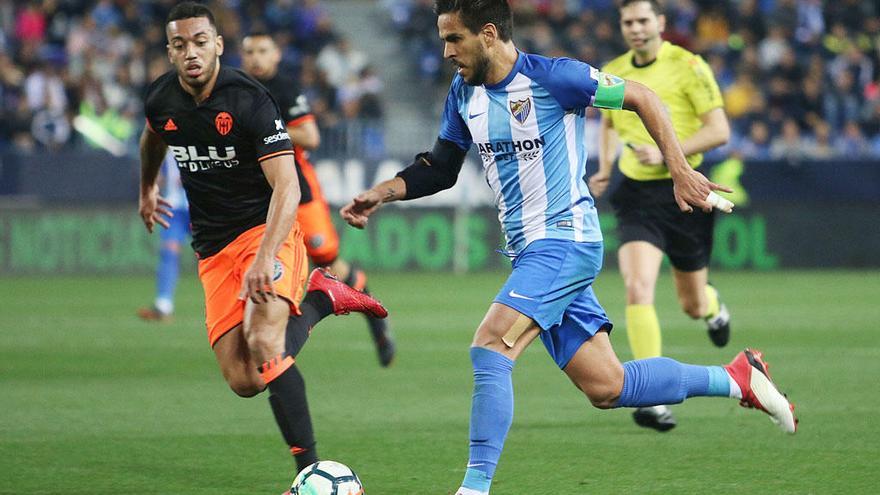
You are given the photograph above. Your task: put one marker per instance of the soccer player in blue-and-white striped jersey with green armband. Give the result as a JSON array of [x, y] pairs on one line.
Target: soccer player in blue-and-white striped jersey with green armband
[[524, 114]]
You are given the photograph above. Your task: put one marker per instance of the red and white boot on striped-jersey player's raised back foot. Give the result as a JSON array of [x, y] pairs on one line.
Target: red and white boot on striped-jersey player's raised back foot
[[758, 391]]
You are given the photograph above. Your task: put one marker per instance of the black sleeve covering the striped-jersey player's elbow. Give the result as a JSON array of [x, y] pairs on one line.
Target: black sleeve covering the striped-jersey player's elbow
[[433, 171]]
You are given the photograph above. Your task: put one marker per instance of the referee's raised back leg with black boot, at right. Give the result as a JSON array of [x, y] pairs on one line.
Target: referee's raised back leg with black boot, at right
[[699, 299]]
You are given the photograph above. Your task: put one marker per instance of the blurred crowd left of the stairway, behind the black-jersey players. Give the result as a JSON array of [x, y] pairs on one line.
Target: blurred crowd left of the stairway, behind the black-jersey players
[[86, 64]]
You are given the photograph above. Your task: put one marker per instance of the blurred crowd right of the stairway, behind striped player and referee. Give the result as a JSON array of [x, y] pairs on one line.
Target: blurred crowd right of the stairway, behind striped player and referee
[[800, 78]]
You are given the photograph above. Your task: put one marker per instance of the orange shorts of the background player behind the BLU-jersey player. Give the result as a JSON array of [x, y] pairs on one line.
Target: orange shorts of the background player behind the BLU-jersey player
[[322, 241]]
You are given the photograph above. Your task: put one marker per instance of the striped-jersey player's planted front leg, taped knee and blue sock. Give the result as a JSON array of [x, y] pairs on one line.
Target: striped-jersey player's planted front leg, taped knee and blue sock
[[501, 337]]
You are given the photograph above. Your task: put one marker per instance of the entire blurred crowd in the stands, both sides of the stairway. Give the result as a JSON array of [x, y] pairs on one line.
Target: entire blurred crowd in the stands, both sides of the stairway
[[801, 78]]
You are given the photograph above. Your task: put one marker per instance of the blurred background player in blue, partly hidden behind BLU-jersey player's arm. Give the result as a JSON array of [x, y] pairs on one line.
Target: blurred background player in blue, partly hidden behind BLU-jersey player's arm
[[173, 239]]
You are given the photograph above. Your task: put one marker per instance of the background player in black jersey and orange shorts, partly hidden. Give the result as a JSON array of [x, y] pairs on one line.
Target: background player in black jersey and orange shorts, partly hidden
[[261, 58]]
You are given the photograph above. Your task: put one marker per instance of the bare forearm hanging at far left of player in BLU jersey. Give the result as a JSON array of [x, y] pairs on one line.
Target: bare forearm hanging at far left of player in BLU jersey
[[152, 208]]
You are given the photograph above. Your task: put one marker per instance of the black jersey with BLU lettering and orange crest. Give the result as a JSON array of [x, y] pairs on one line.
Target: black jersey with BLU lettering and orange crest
[[219, 145]]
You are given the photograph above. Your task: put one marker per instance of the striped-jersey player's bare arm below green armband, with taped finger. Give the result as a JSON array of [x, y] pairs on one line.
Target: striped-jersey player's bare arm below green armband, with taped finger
[[691, 187]]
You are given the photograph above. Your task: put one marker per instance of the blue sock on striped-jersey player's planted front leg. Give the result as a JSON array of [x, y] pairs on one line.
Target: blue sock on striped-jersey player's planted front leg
[[491, 415]]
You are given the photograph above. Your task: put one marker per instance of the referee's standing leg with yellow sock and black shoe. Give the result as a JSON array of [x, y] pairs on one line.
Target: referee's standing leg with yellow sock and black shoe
[[640, 266]]
